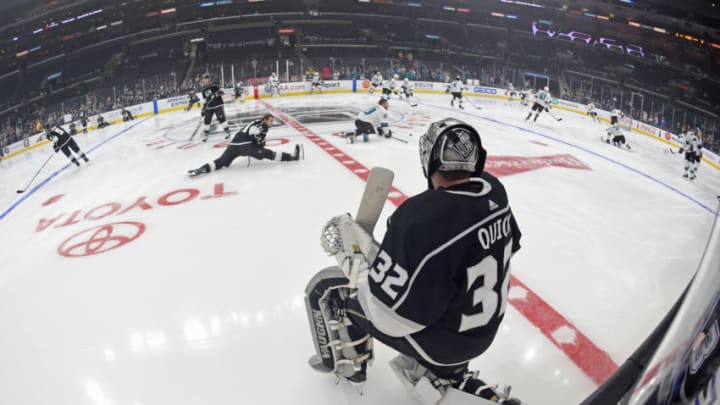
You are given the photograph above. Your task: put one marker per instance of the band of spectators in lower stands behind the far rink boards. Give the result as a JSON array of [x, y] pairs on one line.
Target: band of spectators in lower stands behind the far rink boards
[[29, 120]]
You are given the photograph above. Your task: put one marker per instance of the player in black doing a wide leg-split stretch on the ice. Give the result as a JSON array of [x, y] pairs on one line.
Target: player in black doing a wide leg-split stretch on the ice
[[249, 141]]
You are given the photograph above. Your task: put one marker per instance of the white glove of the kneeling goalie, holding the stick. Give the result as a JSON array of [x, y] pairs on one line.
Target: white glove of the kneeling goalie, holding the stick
[[353, 248]]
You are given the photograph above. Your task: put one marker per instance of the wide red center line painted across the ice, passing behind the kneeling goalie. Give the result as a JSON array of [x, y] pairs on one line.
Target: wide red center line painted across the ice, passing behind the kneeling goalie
[[587, 356]]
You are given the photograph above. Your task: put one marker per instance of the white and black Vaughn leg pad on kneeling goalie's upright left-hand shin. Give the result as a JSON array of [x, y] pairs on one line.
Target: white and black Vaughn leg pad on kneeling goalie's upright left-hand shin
[[341, 347]]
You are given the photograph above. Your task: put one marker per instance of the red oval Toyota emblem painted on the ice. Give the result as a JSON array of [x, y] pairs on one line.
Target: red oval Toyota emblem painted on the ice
[[101, 238]]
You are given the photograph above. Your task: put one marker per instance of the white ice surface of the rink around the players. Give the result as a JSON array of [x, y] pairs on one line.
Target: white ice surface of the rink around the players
[[206, 306]]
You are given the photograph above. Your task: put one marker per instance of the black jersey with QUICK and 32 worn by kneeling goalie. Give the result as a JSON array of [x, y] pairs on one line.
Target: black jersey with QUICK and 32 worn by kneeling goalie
[[441, 278]]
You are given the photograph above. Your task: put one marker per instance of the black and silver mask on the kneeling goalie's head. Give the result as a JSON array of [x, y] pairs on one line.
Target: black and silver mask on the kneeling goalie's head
[[451, 145]]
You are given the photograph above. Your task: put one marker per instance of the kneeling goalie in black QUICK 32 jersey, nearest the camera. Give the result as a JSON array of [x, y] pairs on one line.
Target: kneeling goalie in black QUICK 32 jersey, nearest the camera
[[435, 289]]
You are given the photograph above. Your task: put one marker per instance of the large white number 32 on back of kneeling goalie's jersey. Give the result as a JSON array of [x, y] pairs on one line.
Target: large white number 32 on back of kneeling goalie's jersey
[[488, 269]]
